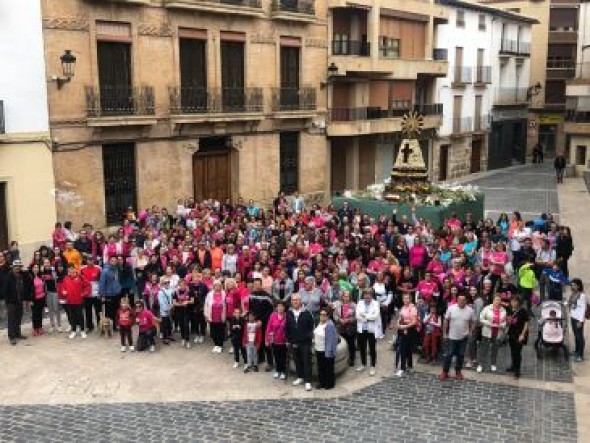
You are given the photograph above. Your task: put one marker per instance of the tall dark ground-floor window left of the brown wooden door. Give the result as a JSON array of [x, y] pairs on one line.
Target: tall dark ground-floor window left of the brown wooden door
[[120, 190]]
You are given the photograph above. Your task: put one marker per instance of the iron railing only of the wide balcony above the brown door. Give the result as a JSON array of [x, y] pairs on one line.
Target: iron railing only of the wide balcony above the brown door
[[196, 100]]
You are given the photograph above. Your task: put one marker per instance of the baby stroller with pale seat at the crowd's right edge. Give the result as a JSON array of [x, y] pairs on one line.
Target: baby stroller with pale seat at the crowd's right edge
[[552, 328]]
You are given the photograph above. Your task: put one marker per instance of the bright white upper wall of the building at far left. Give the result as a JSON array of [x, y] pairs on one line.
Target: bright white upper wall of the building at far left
[[22, 78]]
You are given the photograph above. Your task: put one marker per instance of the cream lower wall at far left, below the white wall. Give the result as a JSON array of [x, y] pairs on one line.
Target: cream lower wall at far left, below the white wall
[[25, 166]]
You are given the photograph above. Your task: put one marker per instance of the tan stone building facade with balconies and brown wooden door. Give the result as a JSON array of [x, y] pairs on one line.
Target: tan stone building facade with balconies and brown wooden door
[[185, 98]]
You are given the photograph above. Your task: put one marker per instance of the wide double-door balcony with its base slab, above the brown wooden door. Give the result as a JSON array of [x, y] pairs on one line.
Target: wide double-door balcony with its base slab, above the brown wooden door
[[198, 105]]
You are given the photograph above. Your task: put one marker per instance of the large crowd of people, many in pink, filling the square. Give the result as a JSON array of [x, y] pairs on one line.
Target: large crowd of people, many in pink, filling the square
[[295, 281]]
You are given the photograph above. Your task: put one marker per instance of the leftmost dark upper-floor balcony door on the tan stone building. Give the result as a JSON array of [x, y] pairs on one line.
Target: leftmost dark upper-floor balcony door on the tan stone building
[[114, 77]]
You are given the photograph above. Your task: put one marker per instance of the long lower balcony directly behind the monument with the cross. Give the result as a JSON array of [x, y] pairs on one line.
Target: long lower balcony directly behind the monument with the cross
[[375, 120]]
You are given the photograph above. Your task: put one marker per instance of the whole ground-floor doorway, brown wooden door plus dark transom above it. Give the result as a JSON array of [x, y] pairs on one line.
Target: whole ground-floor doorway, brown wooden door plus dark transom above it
[[212, 169]]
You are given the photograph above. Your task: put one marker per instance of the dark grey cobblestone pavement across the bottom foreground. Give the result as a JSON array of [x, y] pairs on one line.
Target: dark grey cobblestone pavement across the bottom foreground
[[414, 409]]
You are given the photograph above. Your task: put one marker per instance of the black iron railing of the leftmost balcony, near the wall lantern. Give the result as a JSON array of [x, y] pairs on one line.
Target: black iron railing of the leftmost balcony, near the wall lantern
[[109, 101]]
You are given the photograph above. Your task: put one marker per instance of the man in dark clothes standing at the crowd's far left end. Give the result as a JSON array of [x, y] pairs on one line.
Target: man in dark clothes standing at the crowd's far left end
[[18, 288]]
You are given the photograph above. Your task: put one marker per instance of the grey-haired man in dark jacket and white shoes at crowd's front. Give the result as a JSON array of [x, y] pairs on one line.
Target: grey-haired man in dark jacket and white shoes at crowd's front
[[299, 332]]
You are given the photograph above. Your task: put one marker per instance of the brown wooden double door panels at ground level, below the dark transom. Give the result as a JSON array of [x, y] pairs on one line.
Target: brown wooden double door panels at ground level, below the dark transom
[[212, 176]]
